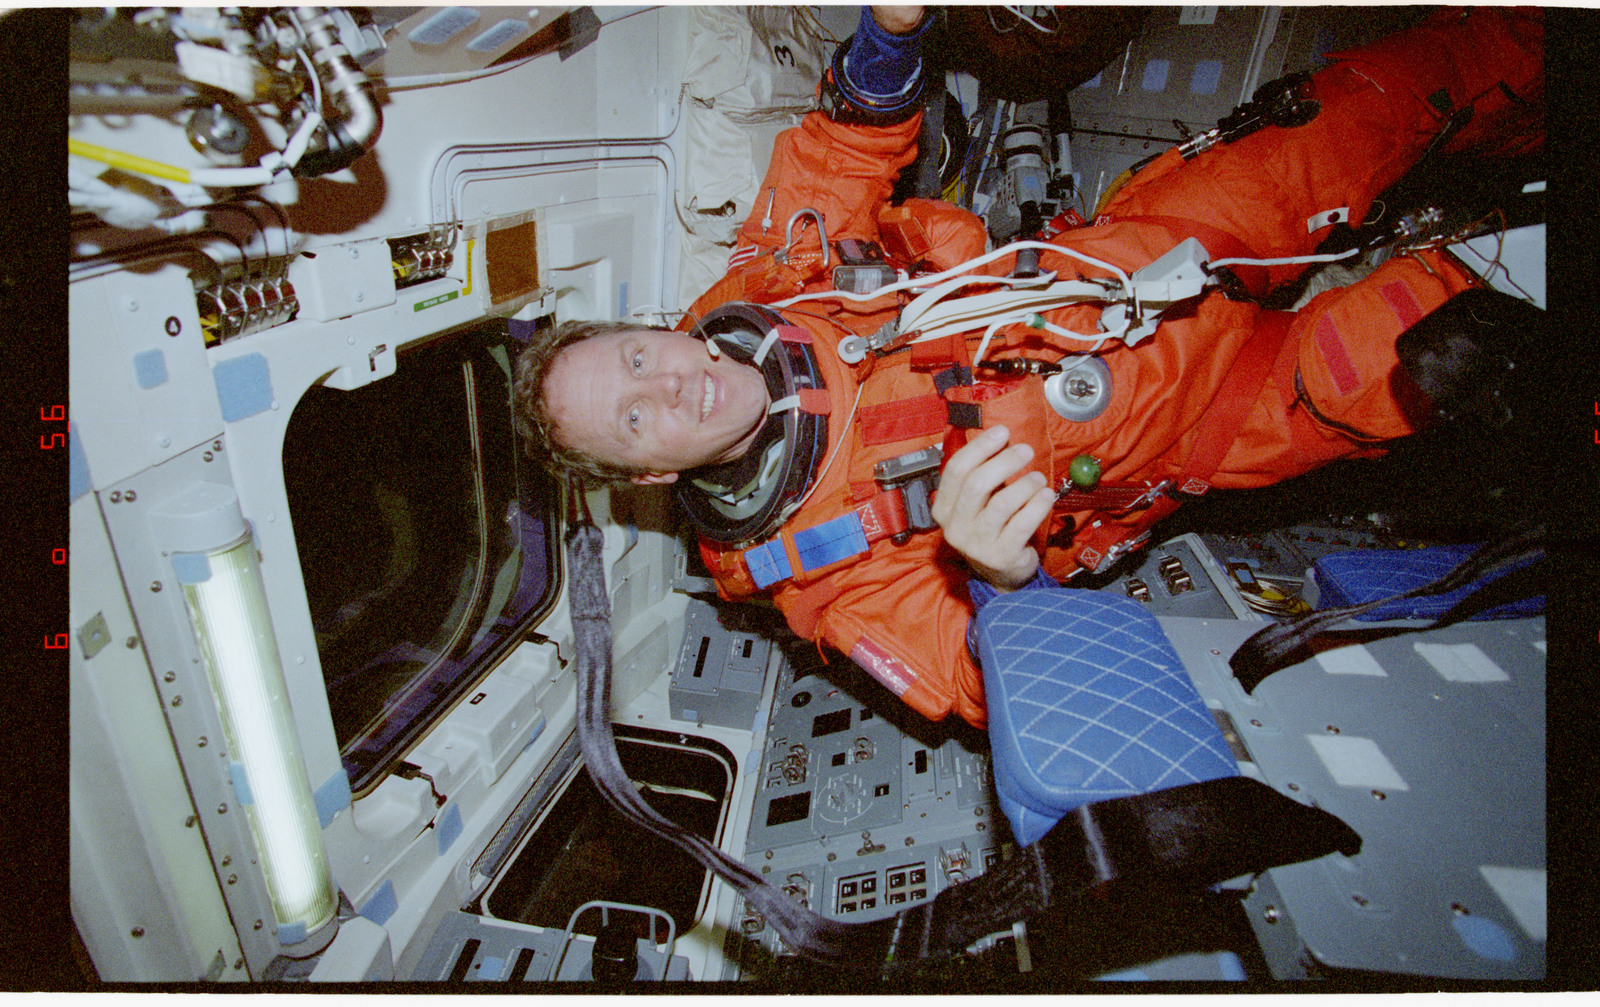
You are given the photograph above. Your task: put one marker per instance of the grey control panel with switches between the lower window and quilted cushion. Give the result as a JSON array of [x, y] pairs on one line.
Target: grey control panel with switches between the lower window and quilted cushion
[[862, 812]]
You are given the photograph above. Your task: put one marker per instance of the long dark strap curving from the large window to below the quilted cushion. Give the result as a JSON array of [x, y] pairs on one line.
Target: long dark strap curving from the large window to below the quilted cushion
[[1196, 835]]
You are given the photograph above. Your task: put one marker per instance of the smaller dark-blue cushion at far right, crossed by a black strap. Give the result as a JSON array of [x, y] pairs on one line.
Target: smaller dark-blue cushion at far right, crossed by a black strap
[[1367, 576]]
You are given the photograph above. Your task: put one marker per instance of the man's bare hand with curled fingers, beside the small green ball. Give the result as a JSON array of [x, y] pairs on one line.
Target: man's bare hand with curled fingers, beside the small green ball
[[986, 521]]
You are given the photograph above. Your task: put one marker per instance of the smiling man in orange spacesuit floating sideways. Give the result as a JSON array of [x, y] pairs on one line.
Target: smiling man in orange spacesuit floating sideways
[[881, 495]]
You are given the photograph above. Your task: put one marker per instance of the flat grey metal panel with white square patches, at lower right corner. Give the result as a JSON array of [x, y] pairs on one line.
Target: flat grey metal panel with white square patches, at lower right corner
[[1422, 896]]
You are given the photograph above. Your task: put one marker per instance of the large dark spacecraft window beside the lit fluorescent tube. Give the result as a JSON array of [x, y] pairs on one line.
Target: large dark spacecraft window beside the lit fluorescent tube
[[425, 539]]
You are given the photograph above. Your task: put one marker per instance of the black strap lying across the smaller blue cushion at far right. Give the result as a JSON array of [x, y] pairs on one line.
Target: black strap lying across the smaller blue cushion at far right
[[1505, 561]]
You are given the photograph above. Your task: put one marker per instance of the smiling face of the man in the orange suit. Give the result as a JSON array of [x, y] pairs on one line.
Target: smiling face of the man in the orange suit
[[655, 401]]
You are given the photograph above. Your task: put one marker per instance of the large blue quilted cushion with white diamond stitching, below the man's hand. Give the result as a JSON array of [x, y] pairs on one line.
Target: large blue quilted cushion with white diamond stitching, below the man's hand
[[1087, 702]]
